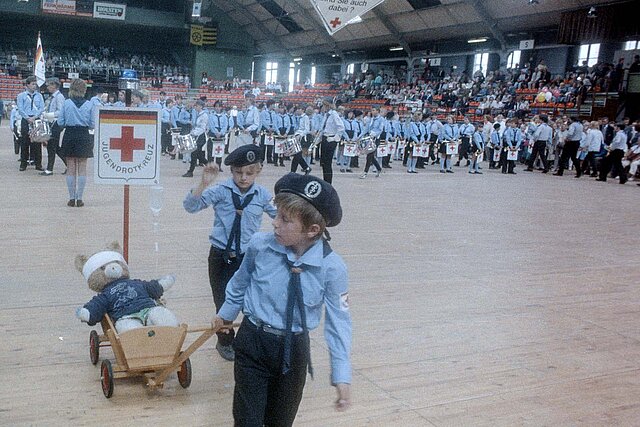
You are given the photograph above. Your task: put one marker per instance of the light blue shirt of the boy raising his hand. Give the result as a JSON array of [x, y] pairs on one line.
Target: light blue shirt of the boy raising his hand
[[219, 197]]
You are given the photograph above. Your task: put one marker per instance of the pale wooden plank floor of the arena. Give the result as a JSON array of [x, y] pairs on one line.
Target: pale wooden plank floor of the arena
[[477, 300]]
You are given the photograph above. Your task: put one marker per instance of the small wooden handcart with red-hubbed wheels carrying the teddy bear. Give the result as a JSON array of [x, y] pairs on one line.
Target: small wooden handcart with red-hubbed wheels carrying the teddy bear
[[154, 352]]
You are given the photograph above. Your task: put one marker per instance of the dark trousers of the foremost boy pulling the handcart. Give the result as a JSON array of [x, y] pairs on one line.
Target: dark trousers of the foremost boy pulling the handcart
[[263, 395]]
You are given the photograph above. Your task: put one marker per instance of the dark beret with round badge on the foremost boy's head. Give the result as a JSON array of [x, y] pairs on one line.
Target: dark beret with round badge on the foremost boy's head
[[316, 191]]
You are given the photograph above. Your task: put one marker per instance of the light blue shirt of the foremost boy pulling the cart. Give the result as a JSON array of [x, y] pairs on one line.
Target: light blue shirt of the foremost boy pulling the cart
[[259, 288]]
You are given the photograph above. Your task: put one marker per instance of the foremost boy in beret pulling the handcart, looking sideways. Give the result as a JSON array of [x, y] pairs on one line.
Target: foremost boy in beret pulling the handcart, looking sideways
[[281, 286]]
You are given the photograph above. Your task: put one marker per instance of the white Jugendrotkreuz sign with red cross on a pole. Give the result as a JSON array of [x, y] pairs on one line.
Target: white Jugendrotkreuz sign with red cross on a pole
[[127, 141]]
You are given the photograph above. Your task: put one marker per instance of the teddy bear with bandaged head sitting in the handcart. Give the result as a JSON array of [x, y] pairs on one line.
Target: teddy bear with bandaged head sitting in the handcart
[[130, 303]]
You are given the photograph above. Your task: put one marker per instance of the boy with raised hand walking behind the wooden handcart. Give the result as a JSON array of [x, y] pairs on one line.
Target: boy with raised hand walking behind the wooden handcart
[[238, 204]]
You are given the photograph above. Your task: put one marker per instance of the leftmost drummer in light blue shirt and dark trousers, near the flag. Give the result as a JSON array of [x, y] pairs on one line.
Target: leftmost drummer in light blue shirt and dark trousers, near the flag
[[30, 106]]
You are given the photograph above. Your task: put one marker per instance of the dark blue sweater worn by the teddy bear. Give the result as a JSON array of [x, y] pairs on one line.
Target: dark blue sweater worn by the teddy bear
[[123, 297]]
